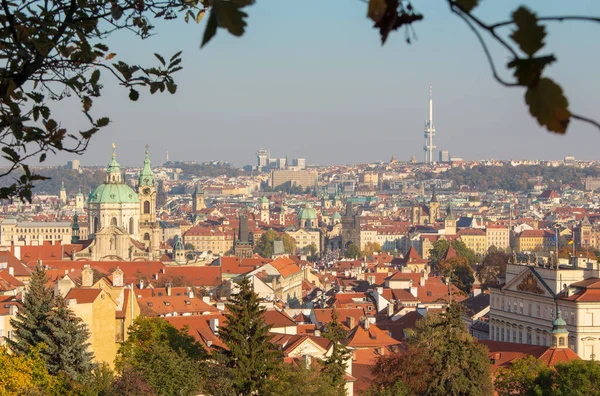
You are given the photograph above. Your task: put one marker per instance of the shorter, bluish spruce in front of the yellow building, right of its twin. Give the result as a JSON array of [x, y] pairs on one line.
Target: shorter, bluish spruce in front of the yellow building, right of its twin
[[66, 342]]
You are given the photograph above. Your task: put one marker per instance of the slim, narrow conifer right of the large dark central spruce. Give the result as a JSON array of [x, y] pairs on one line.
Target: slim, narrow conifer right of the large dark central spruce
[[335, 364]]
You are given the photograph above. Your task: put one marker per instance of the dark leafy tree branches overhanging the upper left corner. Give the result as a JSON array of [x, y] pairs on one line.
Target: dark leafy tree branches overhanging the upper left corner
[[54, 50]]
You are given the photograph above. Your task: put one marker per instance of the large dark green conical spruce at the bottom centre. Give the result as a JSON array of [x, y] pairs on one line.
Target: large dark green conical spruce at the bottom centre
[[251, 357]]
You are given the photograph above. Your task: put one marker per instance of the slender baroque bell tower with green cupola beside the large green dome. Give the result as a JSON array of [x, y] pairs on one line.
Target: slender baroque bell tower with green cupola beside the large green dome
[[149, 226]]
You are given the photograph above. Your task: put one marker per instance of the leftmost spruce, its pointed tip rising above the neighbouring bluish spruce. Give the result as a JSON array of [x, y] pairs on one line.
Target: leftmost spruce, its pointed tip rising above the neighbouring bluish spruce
[[31, 321]]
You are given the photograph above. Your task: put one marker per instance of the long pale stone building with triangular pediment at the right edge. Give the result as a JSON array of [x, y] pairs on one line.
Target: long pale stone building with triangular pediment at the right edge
[[523, 309]]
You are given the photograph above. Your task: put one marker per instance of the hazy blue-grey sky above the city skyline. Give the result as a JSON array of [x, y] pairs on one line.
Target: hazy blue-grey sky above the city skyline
[[310, 79]]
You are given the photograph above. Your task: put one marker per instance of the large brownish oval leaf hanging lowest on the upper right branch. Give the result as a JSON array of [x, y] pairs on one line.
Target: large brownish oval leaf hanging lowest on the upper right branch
[[548, 105]]
